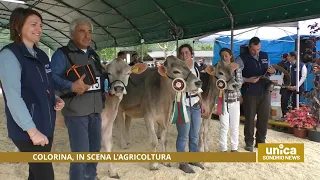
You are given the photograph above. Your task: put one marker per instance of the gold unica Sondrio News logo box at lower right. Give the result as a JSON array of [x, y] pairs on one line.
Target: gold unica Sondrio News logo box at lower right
[[281, 152]]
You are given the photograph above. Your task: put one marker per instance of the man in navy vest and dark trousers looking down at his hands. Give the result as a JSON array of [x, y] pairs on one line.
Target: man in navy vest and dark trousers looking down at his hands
[[255, 92]]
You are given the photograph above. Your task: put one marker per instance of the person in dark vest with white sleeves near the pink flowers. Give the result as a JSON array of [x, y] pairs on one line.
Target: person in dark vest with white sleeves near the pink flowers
[[291, 92]]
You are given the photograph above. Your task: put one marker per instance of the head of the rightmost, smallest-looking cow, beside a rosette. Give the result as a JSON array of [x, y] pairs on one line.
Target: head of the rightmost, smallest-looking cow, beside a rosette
[[224, 71]]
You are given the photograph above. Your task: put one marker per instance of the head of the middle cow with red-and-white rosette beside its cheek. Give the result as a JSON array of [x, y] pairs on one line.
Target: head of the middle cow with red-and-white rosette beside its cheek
[[176, 68]]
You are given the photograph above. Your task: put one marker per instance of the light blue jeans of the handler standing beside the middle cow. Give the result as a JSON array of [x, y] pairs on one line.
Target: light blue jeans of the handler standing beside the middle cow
[[189, 130]]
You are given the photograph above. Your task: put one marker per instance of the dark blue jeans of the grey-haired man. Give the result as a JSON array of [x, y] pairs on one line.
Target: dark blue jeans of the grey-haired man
[[84, 136]]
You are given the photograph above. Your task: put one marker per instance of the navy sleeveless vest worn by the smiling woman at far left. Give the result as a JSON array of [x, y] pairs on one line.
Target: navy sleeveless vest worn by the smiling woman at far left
[[37, 91]]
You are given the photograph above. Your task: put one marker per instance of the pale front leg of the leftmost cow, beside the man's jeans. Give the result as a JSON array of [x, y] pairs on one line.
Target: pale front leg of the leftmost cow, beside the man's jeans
[[106, 144]]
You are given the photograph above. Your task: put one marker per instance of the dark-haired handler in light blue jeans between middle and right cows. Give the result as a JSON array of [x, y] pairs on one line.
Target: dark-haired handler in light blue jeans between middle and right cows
[[190, 130]]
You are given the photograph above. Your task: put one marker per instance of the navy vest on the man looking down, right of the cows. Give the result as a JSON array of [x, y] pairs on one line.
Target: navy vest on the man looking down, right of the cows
[[252, 68]]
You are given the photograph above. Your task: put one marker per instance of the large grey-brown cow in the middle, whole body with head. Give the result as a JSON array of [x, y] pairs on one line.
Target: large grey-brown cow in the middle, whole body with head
[[151, 96]]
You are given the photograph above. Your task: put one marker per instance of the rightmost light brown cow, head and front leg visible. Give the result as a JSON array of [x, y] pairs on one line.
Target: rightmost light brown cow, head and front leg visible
[[209, 95]]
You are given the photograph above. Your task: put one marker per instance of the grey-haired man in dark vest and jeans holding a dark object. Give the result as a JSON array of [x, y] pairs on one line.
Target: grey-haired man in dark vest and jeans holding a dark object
[[84, 103]]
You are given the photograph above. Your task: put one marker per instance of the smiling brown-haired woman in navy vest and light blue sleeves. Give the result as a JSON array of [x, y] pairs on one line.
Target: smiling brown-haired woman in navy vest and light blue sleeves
[[30, 102]]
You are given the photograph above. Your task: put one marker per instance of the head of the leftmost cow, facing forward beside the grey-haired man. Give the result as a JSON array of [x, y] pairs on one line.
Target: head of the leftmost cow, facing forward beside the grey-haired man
[[118, 72]]
